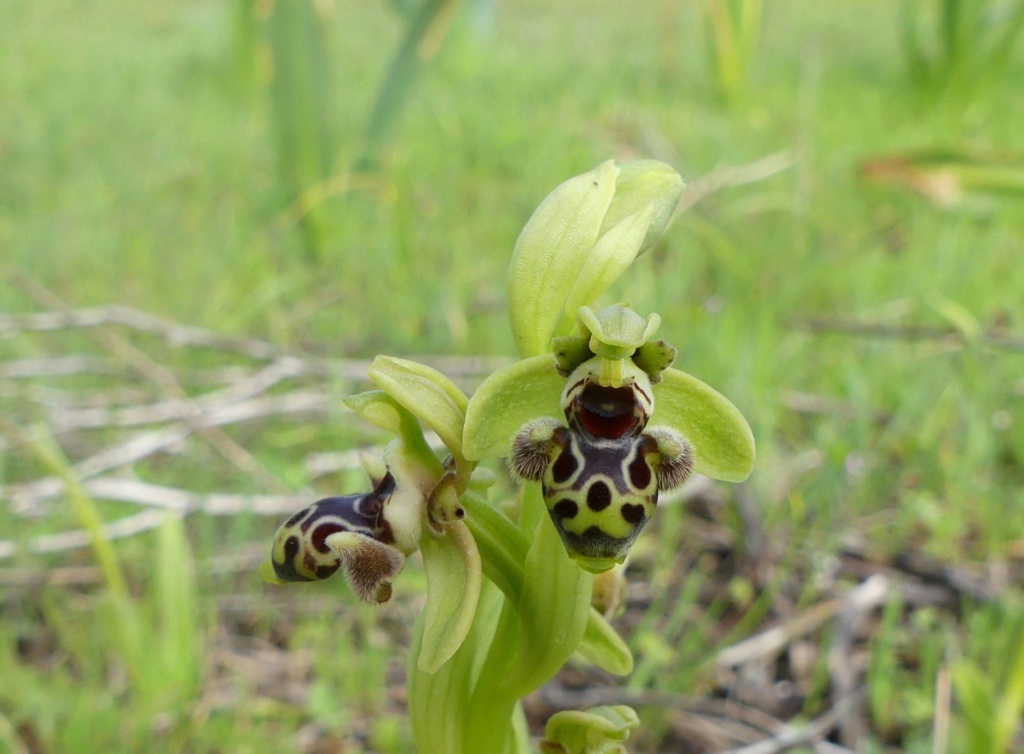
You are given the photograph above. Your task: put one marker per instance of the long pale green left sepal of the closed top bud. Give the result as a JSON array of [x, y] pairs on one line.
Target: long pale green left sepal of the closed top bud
[[550, 253]]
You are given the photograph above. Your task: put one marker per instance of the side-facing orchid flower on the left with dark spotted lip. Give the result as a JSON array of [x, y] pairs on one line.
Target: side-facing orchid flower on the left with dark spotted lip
[[414, 506]]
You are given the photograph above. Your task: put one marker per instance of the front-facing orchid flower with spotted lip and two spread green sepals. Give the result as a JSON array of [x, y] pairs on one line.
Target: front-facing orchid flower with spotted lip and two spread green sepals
[[606, 425]]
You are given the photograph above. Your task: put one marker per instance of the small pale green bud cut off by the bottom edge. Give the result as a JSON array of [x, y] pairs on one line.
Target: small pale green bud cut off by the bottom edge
[[598, 731]]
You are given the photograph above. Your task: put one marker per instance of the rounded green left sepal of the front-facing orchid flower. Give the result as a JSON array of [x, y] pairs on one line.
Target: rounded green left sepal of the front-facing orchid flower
[[507, 400]]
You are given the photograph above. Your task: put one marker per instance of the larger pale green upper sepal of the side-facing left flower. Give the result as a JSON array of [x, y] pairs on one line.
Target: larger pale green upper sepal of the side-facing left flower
[[428, 394]]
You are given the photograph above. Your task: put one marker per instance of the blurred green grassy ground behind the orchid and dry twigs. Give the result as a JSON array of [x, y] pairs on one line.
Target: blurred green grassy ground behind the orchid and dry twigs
[[346, 179]]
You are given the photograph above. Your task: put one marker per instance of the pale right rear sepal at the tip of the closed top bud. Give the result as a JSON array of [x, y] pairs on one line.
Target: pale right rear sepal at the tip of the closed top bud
[[646, 184]]
